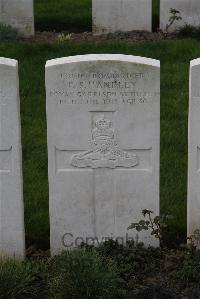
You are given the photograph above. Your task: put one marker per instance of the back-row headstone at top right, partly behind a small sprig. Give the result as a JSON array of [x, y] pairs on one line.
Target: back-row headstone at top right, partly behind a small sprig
[[189, 12]]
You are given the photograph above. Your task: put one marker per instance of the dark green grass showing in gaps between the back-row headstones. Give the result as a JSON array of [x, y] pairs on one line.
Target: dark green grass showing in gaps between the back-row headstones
[[72, 15]]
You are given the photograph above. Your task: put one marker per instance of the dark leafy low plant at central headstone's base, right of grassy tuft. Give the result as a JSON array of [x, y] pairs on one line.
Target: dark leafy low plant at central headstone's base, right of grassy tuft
[[134, 261]]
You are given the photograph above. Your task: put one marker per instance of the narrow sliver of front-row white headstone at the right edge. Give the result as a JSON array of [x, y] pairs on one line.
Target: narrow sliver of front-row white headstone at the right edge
[[194, 149]]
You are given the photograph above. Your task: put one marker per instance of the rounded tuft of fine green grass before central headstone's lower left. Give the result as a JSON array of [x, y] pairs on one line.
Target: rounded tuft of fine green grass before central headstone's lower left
[[83, 274]]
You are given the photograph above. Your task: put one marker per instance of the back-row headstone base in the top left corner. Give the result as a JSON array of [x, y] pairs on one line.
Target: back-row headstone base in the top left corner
[[19, 14]]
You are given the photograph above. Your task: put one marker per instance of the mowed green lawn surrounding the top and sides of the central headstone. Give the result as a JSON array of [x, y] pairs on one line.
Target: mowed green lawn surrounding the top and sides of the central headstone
[[174, 56]]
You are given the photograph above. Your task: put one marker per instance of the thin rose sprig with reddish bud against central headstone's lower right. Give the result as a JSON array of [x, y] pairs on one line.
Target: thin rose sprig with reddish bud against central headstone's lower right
[[156, 225]]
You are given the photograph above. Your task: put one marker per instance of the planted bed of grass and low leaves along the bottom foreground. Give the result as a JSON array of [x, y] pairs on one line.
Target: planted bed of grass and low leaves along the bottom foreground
[[110, 271]]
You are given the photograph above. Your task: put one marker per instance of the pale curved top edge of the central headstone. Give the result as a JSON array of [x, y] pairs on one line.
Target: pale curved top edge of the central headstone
[[103, 57]]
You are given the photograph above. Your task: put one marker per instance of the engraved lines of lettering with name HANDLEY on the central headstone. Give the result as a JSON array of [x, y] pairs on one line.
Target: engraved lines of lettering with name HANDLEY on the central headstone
[[101, 89]]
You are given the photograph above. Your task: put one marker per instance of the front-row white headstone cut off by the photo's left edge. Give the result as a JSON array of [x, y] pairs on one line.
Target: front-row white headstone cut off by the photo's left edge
[[11, 198]]
